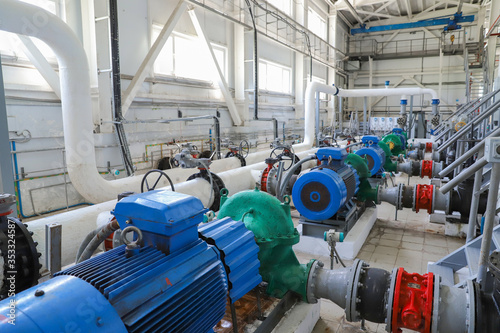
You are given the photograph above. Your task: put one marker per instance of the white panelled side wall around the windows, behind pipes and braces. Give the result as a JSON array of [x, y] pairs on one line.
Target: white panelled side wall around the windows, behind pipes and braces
[[34, 107]]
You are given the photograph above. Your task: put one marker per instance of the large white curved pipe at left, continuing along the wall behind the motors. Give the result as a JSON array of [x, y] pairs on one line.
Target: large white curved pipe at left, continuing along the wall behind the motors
[[25, 19]]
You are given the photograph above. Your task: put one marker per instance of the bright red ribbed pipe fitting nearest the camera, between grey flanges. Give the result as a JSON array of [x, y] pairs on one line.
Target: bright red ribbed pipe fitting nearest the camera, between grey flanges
[[412, 302]]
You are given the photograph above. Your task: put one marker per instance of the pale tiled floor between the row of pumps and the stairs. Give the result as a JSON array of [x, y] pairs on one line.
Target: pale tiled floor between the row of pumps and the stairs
[[409, 242]]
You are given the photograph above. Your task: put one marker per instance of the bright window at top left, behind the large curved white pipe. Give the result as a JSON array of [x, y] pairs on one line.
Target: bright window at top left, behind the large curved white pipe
[[10, 44]]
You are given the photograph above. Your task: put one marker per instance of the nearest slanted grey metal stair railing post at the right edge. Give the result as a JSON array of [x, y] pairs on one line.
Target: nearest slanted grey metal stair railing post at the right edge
[[488, 222]]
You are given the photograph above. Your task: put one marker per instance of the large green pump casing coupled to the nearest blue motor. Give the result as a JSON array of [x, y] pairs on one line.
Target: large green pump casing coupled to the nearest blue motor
[[275, 234]]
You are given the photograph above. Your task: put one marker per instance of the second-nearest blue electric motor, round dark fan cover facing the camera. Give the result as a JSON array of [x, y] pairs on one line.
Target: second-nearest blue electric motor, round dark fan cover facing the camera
[[319, 193]]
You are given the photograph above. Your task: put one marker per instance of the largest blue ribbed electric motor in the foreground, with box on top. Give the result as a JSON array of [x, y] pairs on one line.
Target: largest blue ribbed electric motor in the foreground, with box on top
[[173, 278]]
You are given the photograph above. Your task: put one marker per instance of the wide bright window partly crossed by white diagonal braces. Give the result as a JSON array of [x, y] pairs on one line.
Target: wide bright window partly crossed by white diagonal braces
[[180, 57]]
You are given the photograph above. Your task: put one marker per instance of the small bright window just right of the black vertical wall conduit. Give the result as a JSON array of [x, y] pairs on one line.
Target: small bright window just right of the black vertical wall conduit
[[275, 77]]
